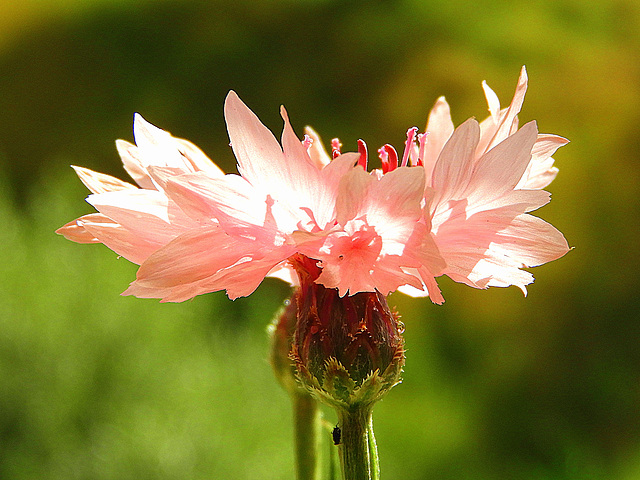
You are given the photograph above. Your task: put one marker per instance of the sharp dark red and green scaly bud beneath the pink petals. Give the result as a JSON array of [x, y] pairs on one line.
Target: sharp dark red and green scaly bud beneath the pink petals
[[347, 350]]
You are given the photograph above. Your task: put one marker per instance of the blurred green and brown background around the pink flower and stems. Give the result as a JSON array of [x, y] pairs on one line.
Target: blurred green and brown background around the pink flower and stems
[[98, 386]]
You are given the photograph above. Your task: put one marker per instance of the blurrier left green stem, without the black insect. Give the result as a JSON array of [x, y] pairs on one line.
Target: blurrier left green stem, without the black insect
[[307, 425]]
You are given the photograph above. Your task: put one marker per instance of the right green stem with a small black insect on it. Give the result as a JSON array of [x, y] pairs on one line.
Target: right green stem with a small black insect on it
[[356, 444]]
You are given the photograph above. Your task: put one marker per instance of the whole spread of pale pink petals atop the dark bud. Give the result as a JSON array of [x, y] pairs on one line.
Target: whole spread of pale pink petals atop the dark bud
[[455, 203]]
